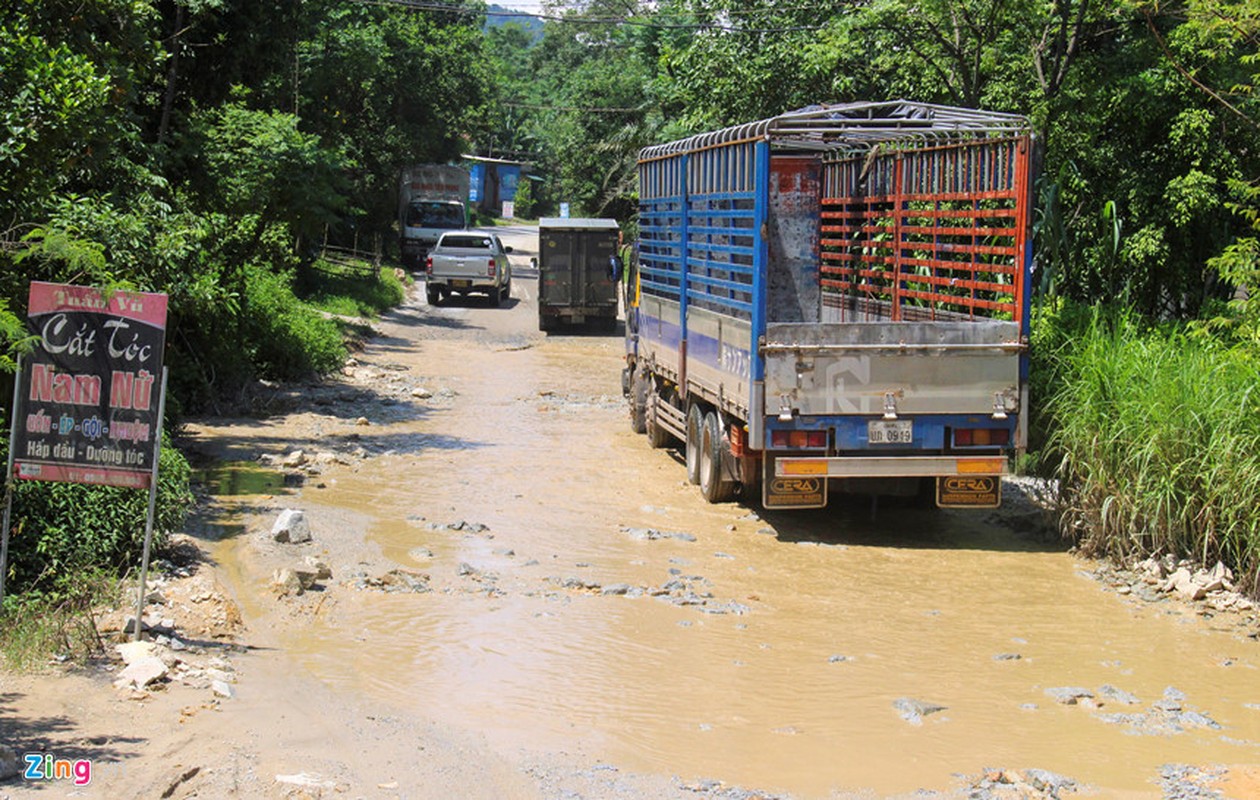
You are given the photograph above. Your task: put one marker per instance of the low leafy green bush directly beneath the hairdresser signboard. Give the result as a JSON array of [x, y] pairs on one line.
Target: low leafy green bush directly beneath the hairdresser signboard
[[65, 531]]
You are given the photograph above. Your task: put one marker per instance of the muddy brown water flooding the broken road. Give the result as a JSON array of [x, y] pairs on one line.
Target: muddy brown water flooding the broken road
[[820, 623]]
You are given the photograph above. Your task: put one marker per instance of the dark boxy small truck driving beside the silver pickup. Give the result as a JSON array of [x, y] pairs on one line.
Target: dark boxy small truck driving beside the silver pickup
[[578, 280]]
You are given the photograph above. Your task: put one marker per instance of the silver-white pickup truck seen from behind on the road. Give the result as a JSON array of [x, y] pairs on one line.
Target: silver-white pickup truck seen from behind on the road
[[468, 263]]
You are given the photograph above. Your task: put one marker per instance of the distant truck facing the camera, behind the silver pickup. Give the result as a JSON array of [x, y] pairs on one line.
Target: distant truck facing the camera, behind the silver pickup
[[433, 198]]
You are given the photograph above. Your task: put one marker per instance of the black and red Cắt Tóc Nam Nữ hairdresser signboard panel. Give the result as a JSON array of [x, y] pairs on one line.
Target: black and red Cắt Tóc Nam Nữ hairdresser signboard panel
[[89, 394]]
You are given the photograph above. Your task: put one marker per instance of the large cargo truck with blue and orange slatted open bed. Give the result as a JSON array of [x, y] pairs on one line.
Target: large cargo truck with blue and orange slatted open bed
[[837, 300]]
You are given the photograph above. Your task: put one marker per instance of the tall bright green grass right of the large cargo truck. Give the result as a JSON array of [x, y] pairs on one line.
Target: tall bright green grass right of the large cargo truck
[[1159, 443]]
